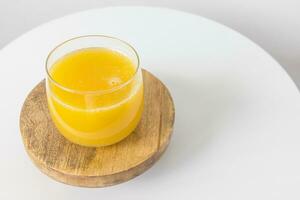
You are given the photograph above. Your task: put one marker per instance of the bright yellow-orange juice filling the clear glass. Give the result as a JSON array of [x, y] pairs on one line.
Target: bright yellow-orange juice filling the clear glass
[[101, 100]]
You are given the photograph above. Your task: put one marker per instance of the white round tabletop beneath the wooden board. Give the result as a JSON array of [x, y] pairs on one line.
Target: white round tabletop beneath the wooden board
[[237, 130]]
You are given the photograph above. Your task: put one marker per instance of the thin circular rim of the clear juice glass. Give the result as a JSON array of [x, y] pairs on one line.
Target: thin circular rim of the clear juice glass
[[100, 91]]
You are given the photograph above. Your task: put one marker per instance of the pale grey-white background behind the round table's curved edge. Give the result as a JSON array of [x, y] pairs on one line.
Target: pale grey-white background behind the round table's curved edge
[[273, 24]]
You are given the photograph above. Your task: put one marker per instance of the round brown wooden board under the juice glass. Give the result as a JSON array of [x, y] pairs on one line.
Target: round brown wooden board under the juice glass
[[103, 166]]
